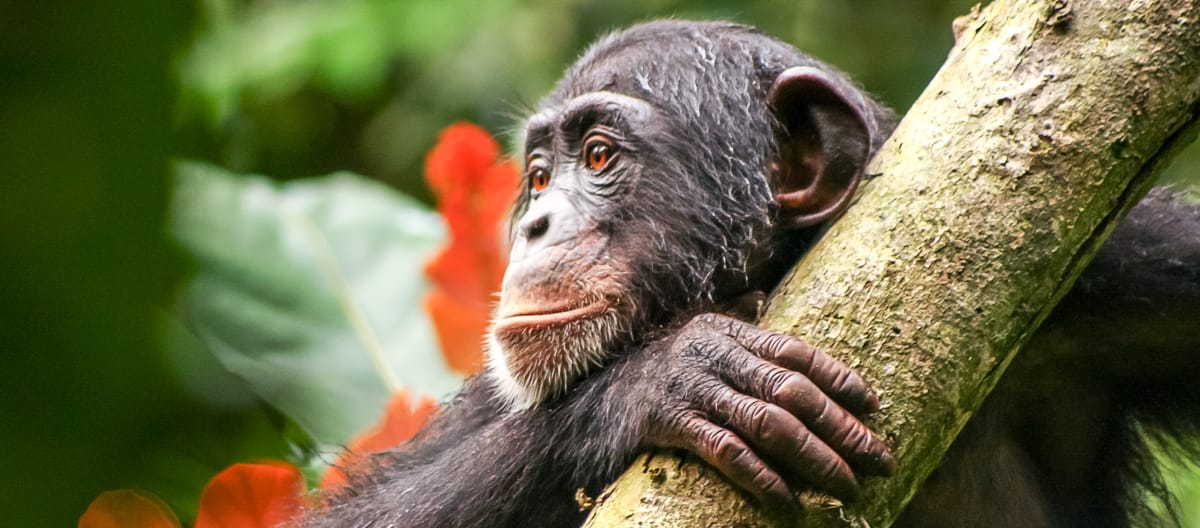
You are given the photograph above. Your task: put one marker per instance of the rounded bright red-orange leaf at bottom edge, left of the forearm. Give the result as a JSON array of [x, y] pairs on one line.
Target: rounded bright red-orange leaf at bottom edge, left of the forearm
[[253, 496]]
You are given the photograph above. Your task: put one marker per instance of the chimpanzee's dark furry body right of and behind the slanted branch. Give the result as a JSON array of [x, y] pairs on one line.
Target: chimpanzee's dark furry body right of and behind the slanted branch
[[1064, 439]]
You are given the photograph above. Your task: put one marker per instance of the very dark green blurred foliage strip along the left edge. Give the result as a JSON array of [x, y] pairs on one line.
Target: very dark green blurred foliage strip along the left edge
[[86, 107]]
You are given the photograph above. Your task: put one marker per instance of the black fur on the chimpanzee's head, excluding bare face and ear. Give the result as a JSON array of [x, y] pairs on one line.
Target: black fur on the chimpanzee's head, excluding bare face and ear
[[715, 214]]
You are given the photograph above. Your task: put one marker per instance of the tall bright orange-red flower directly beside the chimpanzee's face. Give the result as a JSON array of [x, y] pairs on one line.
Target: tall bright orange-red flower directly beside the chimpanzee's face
[[473, 190]]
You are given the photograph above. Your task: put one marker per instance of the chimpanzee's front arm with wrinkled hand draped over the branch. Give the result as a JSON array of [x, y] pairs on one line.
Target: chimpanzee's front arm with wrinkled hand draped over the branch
[[736, 395]]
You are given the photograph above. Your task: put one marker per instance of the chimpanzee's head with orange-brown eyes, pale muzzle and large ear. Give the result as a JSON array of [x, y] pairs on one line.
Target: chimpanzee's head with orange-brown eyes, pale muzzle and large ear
[[670, 170]]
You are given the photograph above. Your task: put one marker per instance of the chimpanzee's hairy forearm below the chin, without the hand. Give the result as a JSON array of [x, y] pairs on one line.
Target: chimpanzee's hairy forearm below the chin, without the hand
[[473, 466]]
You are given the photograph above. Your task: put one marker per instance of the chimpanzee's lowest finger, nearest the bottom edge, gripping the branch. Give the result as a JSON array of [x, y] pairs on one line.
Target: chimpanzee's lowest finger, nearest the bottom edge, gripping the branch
[[730, 455]]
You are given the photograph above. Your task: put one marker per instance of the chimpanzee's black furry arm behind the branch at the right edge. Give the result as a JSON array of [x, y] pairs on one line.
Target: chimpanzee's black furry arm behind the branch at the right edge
[[1136, 310]]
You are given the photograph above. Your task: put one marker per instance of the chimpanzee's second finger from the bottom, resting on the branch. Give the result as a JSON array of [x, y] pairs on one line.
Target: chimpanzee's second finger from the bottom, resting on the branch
[[778, 435]]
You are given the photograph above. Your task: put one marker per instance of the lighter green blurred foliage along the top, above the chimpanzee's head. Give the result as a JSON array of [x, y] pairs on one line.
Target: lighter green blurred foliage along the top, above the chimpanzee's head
[[301, 88]]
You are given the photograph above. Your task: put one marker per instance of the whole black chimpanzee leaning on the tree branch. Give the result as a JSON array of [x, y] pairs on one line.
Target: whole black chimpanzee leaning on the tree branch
[[677, 170]]
